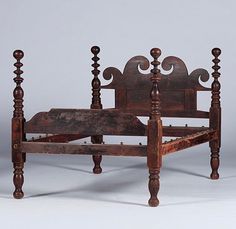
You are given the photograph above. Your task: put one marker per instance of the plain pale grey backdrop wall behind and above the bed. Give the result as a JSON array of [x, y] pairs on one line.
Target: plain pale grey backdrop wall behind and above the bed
[[56, 36]]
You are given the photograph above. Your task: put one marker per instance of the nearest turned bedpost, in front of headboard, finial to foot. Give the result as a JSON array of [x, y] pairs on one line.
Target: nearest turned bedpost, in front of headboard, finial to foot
[[154, 134]]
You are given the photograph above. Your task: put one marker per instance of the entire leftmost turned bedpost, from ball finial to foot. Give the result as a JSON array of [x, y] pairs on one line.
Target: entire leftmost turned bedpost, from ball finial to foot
[[18, 157]]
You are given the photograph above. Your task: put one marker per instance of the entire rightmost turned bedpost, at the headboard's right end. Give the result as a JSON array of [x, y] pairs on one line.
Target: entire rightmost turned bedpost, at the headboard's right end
[[215, 114]]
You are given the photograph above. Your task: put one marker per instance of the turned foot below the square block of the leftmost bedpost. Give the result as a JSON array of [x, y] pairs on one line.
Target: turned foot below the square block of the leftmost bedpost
[[18, 180]]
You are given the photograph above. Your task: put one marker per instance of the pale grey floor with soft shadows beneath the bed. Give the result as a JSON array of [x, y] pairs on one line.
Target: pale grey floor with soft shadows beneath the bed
[[61, 192]]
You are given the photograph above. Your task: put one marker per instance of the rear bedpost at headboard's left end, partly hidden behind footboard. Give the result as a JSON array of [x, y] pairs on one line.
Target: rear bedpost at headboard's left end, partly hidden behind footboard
[[96, 104]]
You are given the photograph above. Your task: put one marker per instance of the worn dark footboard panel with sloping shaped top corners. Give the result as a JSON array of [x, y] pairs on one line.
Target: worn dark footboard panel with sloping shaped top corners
[[86, 122]]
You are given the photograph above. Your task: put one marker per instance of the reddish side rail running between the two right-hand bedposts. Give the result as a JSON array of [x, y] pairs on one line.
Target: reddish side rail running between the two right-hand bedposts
[[188, 141]]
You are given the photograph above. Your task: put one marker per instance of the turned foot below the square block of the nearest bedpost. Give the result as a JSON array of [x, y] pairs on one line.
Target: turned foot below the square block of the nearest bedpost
[[153, 186]]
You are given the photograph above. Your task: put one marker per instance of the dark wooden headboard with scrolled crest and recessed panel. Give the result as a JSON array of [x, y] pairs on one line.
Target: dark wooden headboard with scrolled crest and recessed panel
[[178, 89]]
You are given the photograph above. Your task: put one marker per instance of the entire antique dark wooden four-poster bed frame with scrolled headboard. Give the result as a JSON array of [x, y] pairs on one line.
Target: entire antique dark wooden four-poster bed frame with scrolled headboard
[[136, 94]]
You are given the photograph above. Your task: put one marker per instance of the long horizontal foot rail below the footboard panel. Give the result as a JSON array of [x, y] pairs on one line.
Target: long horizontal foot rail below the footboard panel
[[67, 148]]
